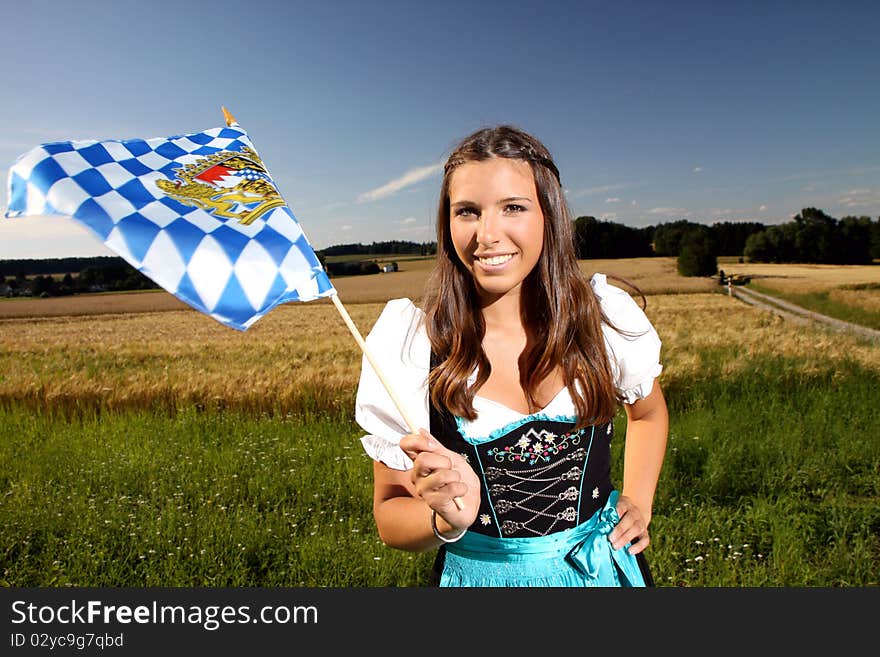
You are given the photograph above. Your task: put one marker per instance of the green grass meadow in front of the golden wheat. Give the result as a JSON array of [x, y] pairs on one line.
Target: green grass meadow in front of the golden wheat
[[770, 480]]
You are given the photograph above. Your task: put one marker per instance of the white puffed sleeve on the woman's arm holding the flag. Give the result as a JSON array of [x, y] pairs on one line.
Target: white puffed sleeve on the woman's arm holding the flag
[[400, 347]]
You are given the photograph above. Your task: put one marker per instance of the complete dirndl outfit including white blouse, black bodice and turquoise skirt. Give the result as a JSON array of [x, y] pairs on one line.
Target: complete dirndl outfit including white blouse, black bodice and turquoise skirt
[[547, 499]]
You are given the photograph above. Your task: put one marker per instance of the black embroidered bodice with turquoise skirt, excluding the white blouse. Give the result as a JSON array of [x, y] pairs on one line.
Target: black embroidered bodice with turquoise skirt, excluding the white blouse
[[547, 506]]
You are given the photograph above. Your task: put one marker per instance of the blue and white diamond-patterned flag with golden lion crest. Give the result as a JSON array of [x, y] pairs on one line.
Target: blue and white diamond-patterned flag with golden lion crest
[[199, 214]]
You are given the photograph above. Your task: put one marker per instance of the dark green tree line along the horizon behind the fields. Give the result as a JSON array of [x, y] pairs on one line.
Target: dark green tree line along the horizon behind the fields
[[812, 236]]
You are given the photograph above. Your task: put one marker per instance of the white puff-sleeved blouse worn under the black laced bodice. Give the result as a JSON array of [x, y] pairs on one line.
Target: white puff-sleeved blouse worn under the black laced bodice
[[399, 345]]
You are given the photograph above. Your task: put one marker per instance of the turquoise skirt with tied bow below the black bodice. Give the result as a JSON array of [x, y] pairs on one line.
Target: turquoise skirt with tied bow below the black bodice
[[580, 556]]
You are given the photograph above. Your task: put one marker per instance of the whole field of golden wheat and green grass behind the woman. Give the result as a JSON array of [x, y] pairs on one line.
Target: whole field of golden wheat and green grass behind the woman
[[145, 444]]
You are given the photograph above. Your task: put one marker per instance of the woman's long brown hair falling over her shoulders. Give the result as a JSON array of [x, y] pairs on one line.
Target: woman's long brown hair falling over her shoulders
[[561, 314]]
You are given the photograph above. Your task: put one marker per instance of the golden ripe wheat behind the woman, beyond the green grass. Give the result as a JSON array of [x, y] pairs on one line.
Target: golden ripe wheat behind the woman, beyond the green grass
[[302, 354]]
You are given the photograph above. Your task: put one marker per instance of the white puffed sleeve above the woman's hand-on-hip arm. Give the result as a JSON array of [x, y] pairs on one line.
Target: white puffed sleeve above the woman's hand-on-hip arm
[[634, 351]]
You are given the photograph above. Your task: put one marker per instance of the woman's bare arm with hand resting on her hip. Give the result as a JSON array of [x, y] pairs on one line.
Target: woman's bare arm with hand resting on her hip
[[647, 430]]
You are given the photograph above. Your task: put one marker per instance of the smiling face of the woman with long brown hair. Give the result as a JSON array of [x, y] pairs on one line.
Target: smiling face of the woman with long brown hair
[[496, 223]]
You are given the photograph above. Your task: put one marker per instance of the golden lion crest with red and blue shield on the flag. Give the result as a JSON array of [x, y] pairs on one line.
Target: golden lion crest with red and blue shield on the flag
[[227, 184]]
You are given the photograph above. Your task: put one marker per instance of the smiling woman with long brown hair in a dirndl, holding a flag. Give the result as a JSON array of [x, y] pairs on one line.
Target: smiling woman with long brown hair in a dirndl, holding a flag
[[515, 366]]
